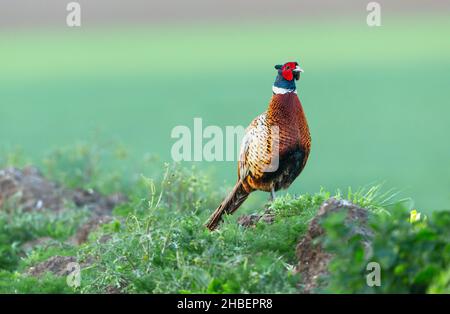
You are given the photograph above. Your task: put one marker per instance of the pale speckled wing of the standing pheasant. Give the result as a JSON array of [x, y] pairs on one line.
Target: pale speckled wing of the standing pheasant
[[256, 149]]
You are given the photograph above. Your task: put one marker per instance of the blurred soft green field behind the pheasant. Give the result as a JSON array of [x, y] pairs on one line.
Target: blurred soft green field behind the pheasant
[[376, 98]]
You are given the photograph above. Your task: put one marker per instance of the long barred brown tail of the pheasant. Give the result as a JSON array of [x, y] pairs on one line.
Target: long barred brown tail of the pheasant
[[229, 205]]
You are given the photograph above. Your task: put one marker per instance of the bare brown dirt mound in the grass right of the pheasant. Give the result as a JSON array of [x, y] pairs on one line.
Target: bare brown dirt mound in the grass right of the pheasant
[[313, 259]]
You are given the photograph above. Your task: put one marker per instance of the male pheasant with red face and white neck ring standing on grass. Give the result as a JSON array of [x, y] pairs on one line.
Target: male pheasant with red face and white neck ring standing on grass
[[275, 147]]
